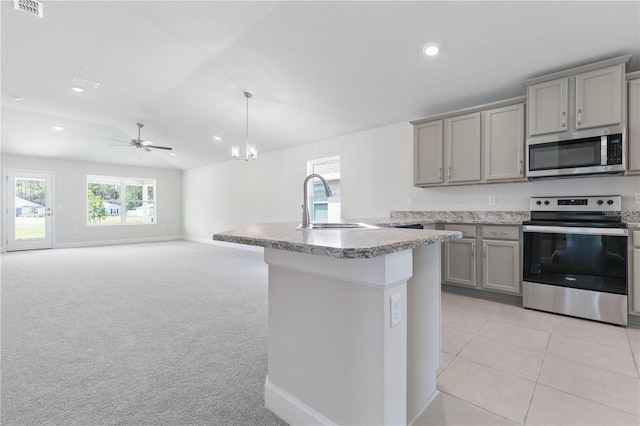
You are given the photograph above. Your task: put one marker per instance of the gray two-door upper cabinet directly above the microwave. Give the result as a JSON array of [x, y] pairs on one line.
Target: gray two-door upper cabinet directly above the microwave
[[584, 100]]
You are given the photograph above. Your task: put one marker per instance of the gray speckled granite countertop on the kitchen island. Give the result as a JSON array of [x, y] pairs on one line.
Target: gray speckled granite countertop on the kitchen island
[[339, 243]]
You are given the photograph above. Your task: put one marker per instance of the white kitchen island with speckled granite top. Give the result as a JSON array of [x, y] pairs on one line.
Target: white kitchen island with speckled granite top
[[354, 321]]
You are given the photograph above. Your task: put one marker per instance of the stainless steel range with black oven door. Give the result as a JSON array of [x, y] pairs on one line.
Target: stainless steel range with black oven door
[[575, 257]]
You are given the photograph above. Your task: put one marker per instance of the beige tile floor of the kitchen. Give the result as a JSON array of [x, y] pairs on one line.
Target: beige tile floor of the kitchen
[[505, 365]]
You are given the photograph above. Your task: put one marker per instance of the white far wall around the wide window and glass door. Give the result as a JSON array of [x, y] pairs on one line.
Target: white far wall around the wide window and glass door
[[70, 201]]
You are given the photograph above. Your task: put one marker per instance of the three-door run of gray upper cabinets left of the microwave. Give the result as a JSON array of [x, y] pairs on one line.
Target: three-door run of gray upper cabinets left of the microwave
[[475, 145]]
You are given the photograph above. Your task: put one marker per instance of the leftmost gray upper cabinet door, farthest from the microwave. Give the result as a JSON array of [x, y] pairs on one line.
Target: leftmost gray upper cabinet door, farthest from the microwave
[[427, 153]]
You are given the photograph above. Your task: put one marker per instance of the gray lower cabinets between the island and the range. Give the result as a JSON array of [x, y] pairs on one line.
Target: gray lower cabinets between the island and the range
[[490, 252]]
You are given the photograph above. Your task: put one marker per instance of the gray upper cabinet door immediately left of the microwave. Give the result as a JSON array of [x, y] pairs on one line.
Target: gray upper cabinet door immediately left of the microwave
[[504, 143]]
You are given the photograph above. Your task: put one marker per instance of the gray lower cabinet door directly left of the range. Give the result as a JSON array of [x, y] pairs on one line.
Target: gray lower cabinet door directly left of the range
[[501, 266]]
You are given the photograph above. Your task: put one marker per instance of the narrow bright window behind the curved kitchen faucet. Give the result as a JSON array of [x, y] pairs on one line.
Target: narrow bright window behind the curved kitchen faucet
[[323, 209]]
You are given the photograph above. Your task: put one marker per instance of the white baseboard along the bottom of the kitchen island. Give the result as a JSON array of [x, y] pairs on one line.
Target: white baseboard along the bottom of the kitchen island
[[291, 409]]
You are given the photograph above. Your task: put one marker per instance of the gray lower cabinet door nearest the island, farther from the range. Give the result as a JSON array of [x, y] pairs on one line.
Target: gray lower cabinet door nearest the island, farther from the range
[[459, 262]]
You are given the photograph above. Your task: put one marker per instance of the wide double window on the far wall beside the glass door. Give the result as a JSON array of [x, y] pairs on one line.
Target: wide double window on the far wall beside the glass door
[[120, 201]]
